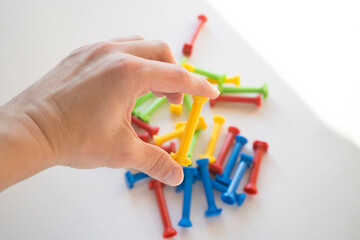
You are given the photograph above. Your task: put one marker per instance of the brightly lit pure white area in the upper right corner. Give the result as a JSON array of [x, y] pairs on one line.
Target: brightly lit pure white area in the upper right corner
[[314, 45]]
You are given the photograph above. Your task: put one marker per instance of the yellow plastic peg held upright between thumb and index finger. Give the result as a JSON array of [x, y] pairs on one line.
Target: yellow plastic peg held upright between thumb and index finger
[[181, 155]]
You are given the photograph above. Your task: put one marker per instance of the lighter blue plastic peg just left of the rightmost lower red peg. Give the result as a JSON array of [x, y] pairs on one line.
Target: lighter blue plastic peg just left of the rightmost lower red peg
[[229, 197]]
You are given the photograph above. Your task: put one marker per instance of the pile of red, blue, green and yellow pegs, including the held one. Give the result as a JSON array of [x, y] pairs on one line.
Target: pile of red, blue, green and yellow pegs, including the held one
[[211, 171]]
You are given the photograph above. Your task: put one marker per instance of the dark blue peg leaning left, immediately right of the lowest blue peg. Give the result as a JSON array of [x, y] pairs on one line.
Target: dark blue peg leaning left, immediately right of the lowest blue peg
[[205, 177]]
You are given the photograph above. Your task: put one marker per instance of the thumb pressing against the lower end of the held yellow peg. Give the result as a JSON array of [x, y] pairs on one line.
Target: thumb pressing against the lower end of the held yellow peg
[[157, 163]]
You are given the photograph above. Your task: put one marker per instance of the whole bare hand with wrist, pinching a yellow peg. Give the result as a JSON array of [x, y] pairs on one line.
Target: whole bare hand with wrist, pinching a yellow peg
[[78, 114]]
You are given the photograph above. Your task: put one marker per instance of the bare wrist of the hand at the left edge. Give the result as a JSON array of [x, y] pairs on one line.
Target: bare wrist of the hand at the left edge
[[22, 153]]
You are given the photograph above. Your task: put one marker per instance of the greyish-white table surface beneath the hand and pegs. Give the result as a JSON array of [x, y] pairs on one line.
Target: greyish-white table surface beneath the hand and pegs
[[308, 182]]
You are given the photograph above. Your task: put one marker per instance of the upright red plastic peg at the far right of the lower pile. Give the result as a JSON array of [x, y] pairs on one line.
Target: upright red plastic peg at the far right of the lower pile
[[259, 148]]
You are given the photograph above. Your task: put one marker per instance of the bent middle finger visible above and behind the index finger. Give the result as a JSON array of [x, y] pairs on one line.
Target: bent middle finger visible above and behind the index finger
[[151, 50]]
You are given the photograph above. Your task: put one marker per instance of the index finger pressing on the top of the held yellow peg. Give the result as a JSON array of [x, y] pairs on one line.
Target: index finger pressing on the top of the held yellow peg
[[168, 78]]
